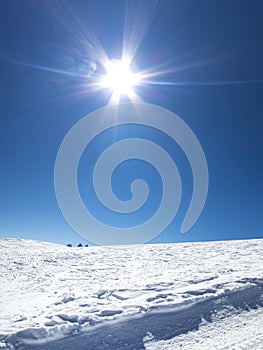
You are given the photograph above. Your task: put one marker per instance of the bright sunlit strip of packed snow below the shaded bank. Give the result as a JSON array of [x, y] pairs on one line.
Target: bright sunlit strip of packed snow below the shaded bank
[[237, 332]]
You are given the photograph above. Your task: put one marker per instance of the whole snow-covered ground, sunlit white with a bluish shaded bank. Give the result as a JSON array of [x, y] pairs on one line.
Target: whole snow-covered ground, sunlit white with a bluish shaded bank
[[178, 296]]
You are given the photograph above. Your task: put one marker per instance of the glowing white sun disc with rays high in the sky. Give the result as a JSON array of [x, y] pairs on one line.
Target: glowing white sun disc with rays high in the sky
[[120, 79]]
